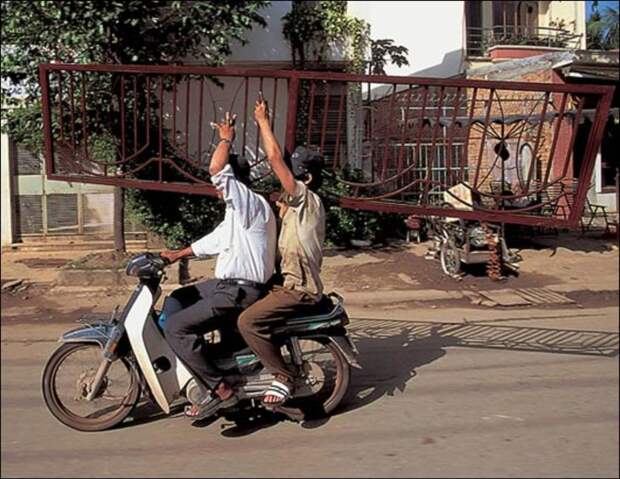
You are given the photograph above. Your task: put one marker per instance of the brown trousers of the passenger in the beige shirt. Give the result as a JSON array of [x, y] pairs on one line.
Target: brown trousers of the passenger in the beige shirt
[[256, 322]]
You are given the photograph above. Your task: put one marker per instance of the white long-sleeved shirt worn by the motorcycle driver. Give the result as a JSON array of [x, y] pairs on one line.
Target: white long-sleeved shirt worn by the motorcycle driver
[[245, 241]]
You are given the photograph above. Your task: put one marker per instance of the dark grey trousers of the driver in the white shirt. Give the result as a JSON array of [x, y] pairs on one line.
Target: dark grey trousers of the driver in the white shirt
[[203, 304]]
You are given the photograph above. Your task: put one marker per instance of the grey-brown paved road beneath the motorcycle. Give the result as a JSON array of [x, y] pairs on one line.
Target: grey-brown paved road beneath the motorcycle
[[433, 401]]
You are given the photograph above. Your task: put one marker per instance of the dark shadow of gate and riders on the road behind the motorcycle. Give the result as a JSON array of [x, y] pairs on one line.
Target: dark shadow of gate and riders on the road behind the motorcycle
[[391, 351]]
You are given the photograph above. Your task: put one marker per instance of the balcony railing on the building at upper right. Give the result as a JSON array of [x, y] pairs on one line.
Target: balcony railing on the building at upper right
[[479, 40]]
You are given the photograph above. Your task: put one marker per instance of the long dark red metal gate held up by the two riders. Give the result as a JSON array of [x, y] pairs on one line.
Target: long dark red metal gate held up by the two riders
[[396, 144]]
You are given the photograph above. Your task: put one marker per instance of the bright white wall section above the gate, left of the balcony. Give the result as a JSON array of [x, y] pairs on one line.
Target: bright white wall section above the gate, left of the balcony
[[434, 33]]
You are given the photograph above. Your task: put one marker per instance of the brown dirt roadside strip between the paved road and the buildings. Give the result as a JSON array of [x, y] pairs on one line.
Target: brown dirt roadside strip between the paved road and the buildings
[[585, 269]]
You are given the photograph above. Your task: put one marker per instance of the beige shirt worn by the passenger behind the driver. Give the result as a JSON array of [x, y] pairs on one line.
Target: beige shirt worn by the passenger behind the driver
[[301, 241]]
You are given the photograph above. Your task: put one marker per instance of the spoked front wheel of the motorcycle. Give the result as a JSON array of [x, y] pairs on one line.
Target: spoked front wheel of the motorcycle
[[68, 377]]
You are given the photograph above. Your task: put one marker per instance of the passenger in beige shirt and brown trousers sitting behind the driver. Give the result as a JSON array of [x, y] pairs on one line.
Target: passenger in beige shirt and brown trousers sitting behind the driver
[[301, 248]]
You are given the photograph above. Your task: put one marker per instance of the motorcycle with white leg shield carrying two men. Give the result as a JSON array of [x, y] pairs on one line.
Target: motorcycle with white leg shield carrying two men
[[93, 381]]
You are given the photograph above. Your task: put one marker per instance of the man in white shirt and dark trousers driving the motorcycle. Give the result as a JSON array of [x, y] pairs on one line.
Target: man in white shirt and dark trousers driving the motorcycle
[[244, 243]]
